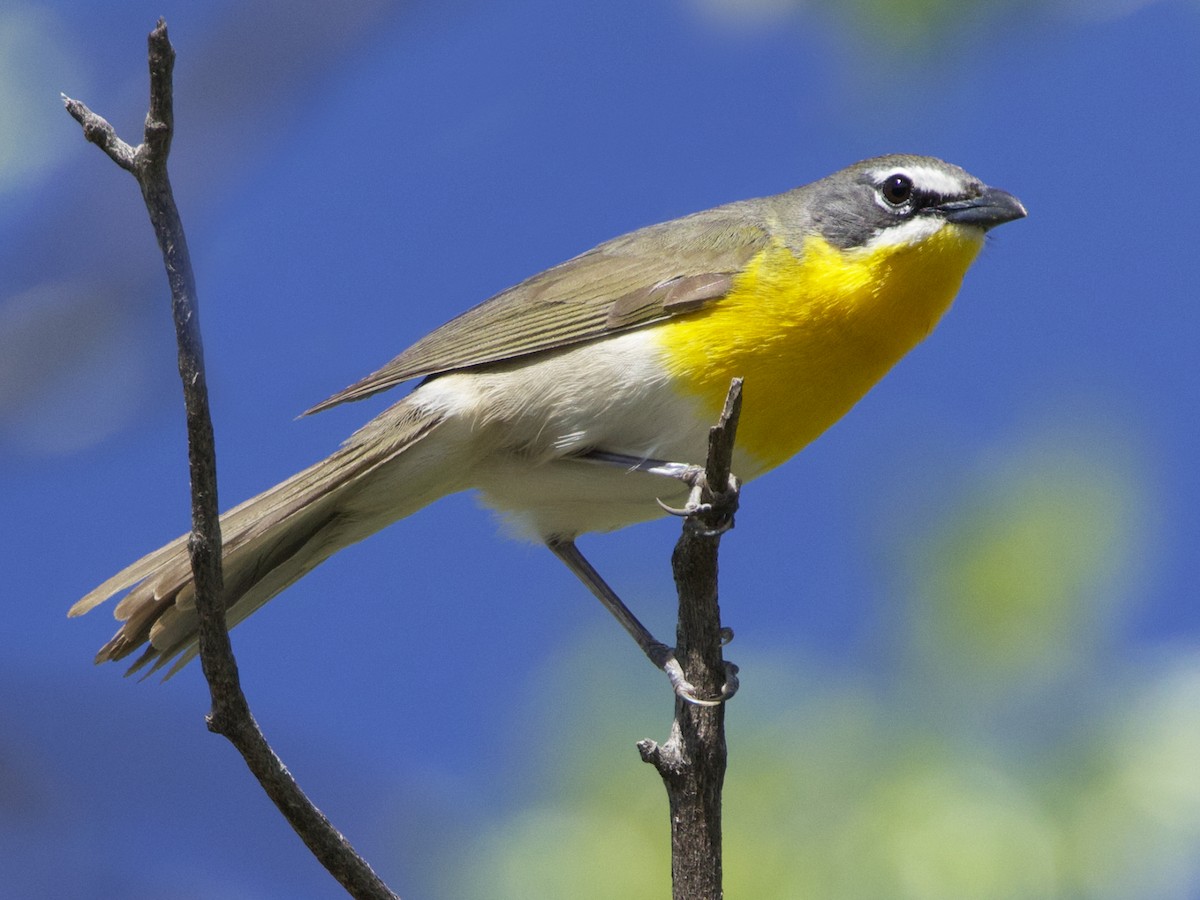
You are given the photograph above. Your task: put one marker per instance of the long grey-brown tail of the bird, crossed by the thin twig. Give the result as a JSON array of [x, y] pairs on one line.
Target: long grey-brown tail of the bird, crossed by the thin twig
[[385, 472]]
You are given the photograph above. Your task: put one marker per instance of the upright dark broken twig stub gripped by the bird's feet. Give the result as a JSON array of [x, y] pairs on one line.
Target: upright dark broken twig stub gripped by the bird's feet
[[693, 760]]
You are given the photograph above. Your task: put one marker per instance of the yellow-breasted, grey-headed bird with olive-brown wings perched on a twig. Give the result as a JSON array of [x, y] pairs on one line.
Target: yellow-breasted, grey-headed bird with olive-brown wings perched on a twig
[[580, 399]]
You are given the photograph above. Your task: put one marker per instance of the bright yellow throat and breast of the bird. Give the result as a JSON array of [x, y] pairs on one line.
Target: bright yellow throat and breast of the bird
[[812, 333]]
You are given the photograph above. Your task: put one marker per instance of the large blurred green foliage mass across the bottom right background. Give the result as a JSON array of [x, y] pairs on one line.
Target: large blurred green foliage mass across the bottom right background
[[991, 747]]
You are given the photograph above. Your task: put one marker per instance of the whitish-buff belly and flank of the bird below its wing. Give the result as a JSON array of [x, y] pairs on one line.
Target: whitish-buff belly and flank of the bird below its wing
[[532, 421]]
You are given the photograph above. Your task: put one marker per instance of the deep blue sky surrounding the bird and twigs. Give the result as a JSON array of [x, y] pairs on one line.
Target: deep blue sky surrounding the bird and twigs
[[349, 185]]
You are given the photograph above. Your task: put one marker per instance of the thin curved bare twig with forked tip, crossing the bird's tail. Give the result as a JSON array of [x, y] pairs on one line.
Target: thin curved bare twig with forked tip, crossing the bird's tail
[[230, 715]]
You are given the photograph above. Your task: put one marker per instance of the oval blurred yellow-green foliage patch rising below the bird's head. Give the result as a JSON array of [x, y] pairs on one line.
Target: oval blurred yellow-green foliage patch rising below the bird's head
[[1022, 578]]
